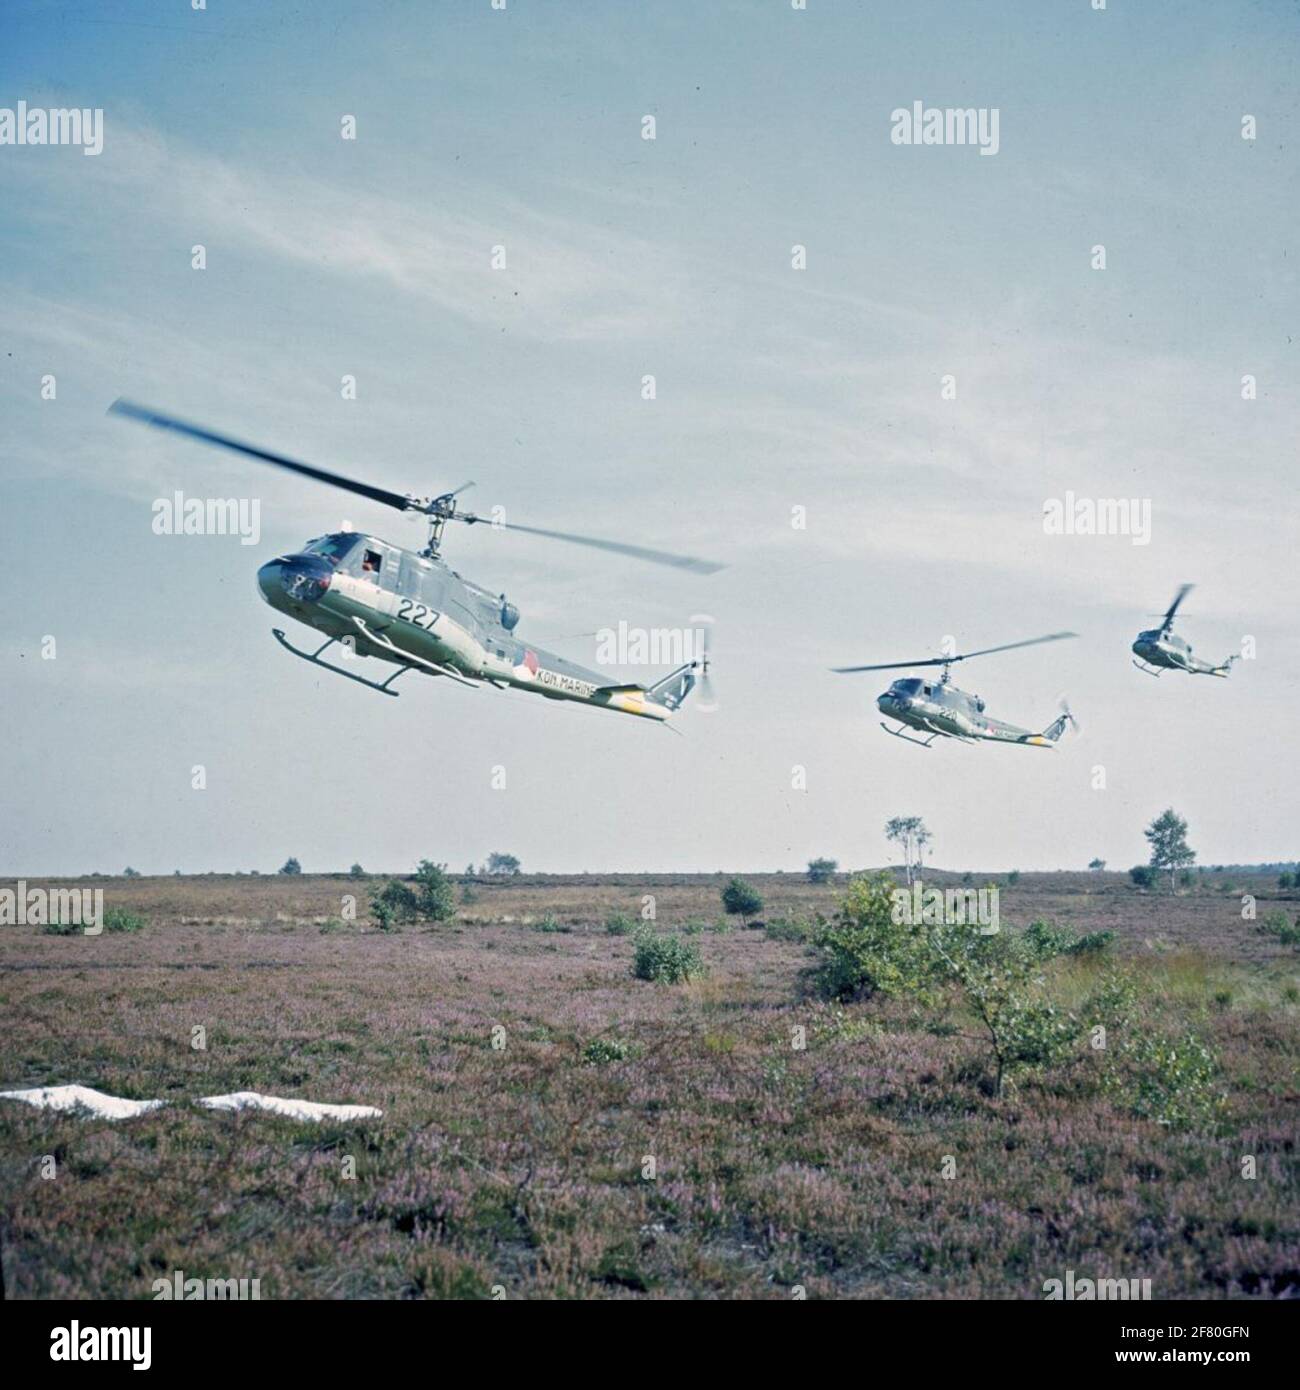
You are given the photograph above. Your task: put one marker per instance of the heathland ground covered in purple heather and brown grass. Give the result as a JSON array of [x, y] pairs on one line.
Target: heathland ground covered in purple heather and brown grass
[[725, 1138]]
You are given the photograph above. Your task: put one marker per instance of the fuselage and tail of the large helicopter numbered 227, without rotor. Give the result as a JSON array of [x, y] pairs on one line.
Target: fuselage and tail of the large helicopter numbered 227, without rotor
[[382, 601]]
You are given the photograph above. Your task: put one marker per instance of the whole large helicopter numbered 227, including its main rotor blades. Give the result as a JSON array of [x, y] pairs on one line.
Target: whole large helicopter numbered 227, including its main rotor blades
[[414, 611]]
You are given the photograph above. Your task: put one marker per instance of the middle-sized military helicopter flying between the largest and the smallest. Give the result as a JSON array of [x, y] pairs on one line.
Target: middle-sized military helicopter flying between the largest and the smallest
[[942, 711]]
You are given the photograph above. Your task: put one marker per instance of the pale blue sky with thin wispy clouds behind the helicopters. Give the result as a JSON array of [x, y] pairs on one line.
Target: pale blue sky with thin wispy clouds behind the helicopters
[[777, 390]]
